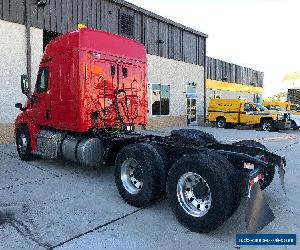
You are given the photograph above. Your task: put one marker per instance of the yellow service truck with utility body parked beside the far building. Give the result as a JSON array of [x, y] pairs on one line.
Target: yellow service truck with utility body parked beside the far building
[[230, 112]]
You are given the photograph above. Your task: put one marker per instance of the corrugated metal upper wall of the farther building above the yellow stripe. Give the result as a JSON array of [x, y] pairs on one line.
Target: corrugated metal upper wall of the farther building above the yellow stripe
[[228, 72]]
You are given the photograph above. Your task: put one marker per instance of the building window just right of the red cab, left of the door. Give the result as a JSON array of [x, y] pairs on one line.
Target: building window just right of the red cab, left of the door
[[160, 99]]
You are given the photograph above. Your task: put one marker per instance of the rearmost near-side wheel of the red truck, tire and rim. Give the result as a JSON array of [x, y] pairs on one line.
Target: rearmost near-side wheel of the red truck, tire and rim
[[199, 192]]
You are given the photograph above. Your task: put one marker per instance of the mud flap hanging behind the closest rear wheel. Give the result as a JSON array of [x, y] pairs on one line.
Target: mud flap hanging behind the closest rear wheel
[[258, 212]]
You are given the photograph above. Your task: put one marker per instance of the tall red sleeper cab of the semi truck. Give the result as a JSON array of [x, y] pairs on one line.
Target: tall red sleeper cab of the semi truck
[[79, 79]]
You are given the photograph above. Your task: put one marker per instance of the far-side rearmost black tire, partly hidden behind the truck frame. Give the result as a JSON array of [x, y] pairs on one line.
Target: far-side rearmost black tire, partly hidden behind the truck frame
[[270, 171]]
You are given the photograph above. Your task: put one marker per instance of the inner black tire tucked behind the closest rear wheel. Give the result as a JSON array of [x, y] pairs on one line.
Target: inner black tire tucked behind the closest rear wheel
[[235, 177]]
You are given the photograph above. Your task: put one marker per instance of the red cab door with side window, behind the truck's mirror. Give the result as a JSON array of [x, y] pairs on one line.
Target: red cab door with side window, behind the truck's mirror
[[41, 98]]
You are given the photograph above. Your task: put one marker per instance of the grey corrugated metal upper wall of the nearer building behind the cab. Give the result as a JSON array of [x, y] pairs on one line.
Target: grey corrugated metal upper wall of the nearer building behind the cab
[[161, 36]]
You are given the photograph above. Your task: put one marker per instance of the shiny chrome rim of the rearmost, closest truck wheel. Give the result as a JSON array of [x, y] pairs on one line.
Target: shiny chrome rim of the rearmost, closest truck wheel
[[194, 194]]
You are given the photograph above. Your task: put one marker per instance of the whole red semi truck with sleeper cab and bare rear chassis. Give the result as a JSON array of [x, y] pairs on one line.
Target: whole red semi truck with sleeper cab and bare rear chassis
[[91, 94]]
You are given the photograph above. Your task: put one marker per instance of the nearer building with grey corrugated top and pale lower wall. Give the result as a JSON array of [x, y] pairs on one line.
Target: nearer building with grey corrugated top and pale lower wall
[[176, 54]]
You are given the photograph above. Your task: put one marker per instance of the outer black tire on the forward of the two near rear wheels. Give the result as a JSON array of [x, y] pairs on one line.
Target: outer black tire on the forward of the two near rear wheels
[[152, 174]]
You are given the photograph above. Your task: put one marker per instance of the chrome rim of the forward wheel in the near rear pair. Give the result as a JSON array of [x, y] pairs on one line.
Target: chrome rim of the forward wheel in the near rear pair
[[132, 176]]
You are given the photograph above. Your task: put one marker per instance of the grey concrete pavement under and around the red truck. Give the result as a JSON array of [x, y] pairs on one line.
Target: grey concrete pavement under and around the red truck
[[46, 204]]
